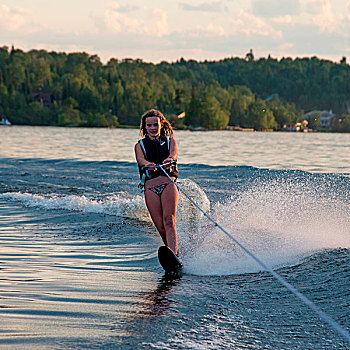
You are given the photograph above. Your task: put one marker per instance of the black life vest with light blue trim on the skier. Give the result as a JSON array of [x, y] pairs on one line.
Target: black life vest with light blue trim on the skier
[[156, 151]]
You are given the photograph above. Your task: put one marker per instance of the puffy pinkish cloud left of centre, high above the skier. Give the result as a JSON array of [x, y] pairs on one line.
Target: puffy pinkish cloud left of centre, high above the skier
[[119, 22]]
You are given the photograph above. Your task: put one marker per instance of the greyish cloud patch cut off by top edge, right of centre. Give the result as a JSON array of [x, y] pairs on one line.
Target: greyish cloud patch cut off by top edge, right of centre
[[275, 8]]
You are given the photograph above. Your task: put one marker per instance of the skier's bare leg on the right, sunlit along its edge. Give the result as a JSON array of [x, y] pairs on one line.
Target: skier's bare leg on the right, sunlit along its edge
[[169, 201]]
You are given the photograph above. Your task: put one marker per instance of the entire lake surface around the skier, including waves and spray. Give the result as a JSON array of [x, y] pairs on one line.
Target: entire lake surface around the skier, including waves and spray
[[78, 265]]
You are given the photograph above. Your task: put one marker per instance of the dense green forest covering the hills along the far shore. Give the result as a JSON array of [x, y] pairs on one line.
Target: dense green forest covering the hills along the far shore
[[76, 89]]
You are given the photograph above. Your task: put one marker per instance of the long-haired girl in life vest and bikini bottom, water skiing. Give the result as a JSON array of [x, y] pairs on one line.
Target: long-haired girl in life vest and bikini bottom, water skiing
[[158, 146]]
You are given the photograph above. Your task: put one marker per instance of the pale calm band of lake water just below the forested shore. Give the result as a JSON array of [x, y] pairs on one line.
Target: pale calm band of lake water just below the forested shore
[[315, 152]]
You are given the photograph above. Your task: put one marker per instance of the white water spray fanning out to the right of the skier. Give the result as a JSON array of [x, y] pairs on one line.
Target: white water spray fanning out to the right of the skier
[[280, 221]]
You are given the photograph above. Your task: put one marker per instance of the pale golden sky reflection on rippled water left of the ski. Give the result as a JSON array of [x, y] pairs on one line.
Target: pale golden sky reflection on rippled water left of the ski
[[60, 287]]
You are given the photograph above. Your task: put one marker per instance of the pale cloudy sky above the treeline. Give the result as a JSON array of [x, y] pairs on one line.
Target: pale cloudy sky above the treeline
[[168, 30]]
